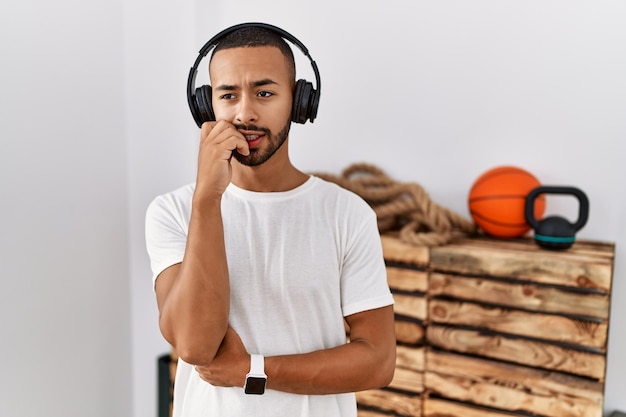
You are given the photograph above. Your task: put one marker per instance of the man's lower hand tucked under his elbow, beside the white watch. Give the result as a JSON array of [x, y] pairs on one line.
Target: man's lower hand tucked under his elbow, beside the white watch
[[230, 365]]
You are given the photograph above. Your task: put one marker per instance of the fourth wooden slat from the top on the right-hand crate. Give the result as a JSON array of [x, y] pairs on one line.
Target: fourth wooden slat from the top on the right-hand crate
[[525, 352]]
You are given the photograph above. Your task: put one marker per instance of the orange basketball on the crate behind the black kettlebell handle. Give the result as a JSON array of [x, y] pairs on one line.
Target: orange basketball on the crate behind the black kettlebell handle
[[497, 200]]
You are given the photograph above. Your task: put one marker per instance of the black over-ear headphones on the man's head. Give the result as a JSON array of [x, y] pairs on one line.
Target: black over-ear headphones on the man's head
[[305, 98]]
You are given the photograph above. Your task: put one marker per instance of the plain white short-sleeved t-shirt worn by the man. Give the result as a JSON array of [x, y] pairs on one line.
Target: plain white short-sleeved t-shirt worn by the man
[[299, 261]]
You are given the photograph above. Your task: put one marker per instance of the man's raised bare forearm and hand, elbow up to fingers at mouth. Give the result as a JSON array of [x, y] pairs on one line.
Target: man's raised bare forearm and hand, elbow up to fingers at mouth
[[194, 296]]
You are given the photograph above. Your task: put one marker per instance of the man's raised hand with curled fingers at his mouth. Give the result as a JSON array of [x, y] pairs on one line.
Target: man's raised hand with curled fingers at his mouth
[[218, 141]]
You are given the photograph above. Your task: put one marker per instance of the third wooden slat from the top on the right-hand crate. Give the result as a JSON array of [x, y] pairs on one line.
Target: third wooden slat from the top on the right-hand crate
[[535, 325]]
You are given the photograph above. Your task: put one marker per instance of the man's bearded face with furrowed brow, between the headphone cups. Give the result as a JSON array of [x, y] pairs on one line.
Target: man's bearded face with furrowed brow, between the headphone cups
[[253, 88]]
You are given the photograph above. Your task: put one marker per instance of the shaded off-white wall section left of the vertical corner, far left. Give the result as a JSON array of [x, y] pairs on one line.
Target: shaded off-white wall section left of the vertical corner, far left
[[64, 298]]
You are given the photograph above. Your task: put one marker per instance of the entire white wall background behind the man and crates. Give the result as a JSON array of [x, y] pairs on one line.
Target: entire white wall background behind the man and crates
[[95, 124]]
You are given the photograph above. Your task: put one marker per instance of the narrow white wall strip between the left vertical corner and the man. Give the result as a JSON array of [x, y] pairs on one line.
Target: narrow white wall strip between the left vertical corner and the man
[[161, 139]]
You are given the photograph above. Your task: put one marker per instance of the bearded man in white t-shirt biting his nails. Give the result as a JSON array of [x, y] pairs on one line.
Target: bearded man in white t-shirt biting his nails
[[257, 264]]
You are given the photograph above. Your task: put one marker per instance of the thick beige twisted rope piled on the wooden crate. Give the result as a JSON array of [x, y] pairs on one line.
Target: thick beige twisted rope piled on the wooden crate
[[404, 208]]
